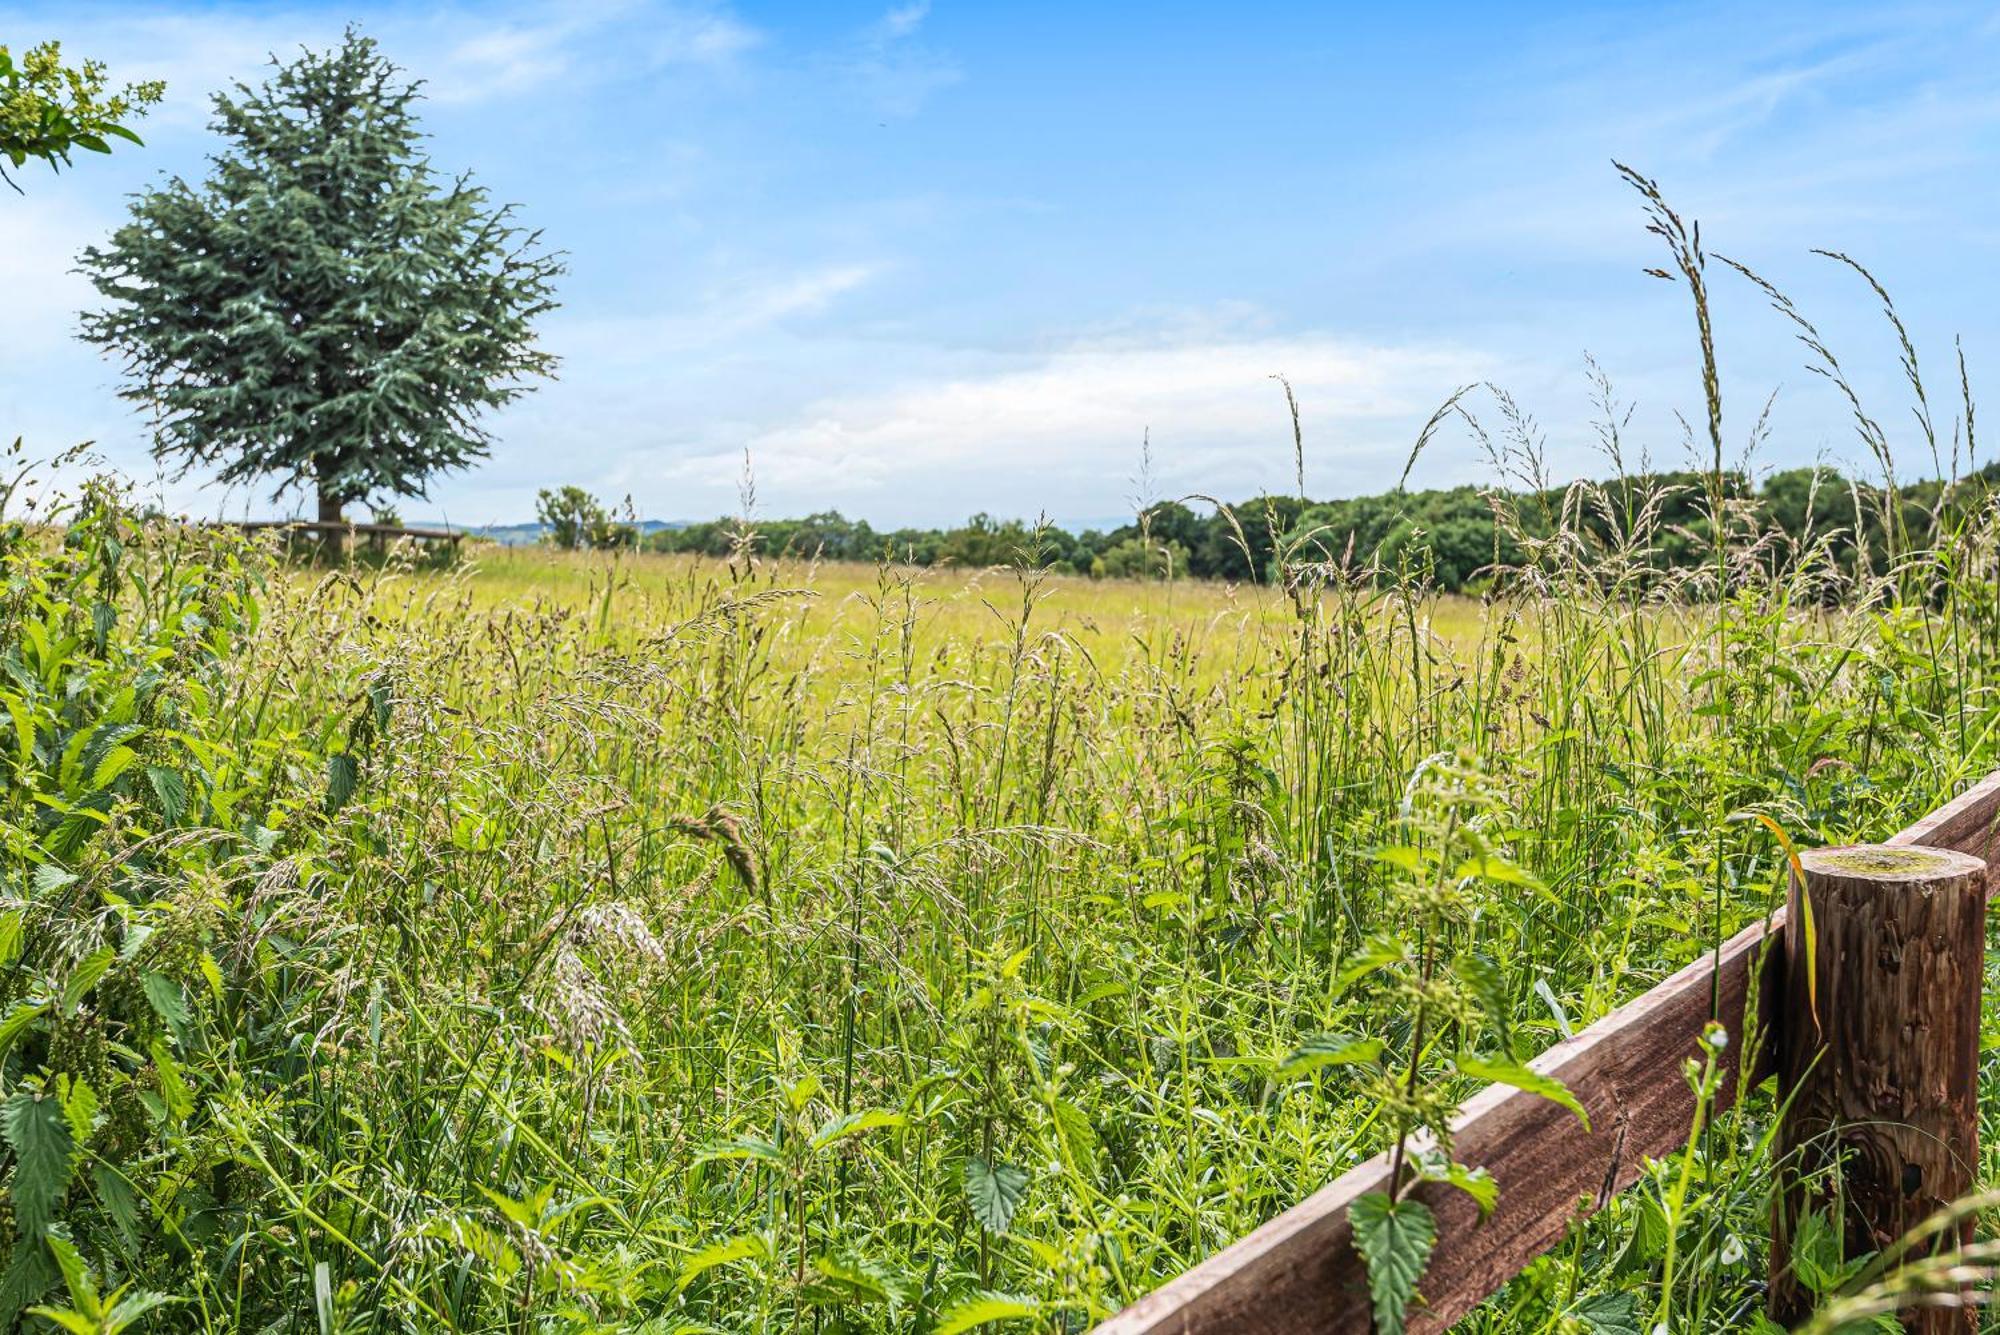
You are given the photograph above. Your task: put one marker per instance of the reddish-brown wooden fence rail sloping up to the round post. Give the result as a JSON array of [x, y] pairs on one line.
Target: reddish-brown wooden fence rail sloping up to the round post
[[1301, 1274]]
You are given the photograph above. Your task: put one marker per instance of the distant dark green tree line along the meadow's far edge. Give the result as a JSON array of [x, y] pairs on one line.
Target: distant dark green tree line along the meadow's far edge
[[1455, 537]]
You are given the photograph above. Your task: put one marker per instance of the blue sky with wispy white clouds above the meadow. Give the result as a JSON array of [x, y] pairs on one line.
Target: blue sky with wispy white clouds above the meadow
[[935, 259]]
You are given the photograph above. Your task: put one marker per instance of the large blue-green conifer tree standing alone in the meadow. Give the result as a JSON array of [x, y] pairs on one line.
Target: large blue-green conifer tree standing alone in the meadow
[[325, 309]]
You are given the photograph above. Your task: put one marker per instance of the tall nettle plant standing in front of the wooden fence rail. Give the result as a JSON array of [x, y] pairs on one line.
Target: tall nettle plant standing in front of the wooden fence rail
[[1453, 854]]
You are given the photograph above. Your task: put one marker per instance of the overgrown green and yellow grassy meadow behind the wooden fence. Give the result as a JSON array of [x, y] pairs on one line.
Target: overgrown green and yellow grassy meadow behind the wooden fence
[[603, 942]]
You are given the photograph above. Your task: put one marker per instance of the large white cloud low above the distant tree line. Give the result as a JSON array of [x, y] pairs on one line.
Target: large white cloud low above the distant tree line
[[1065, 427]]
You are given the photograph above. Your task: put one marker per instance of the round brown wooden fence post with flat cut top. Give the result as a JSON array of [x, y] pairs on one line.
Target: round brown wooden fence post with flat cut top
[[1879, 1046]]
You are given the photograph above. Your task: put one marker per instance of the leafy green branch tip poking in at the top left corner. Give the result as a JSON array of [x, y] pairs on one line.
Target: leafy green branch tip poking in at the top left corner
[[49, 109]]
